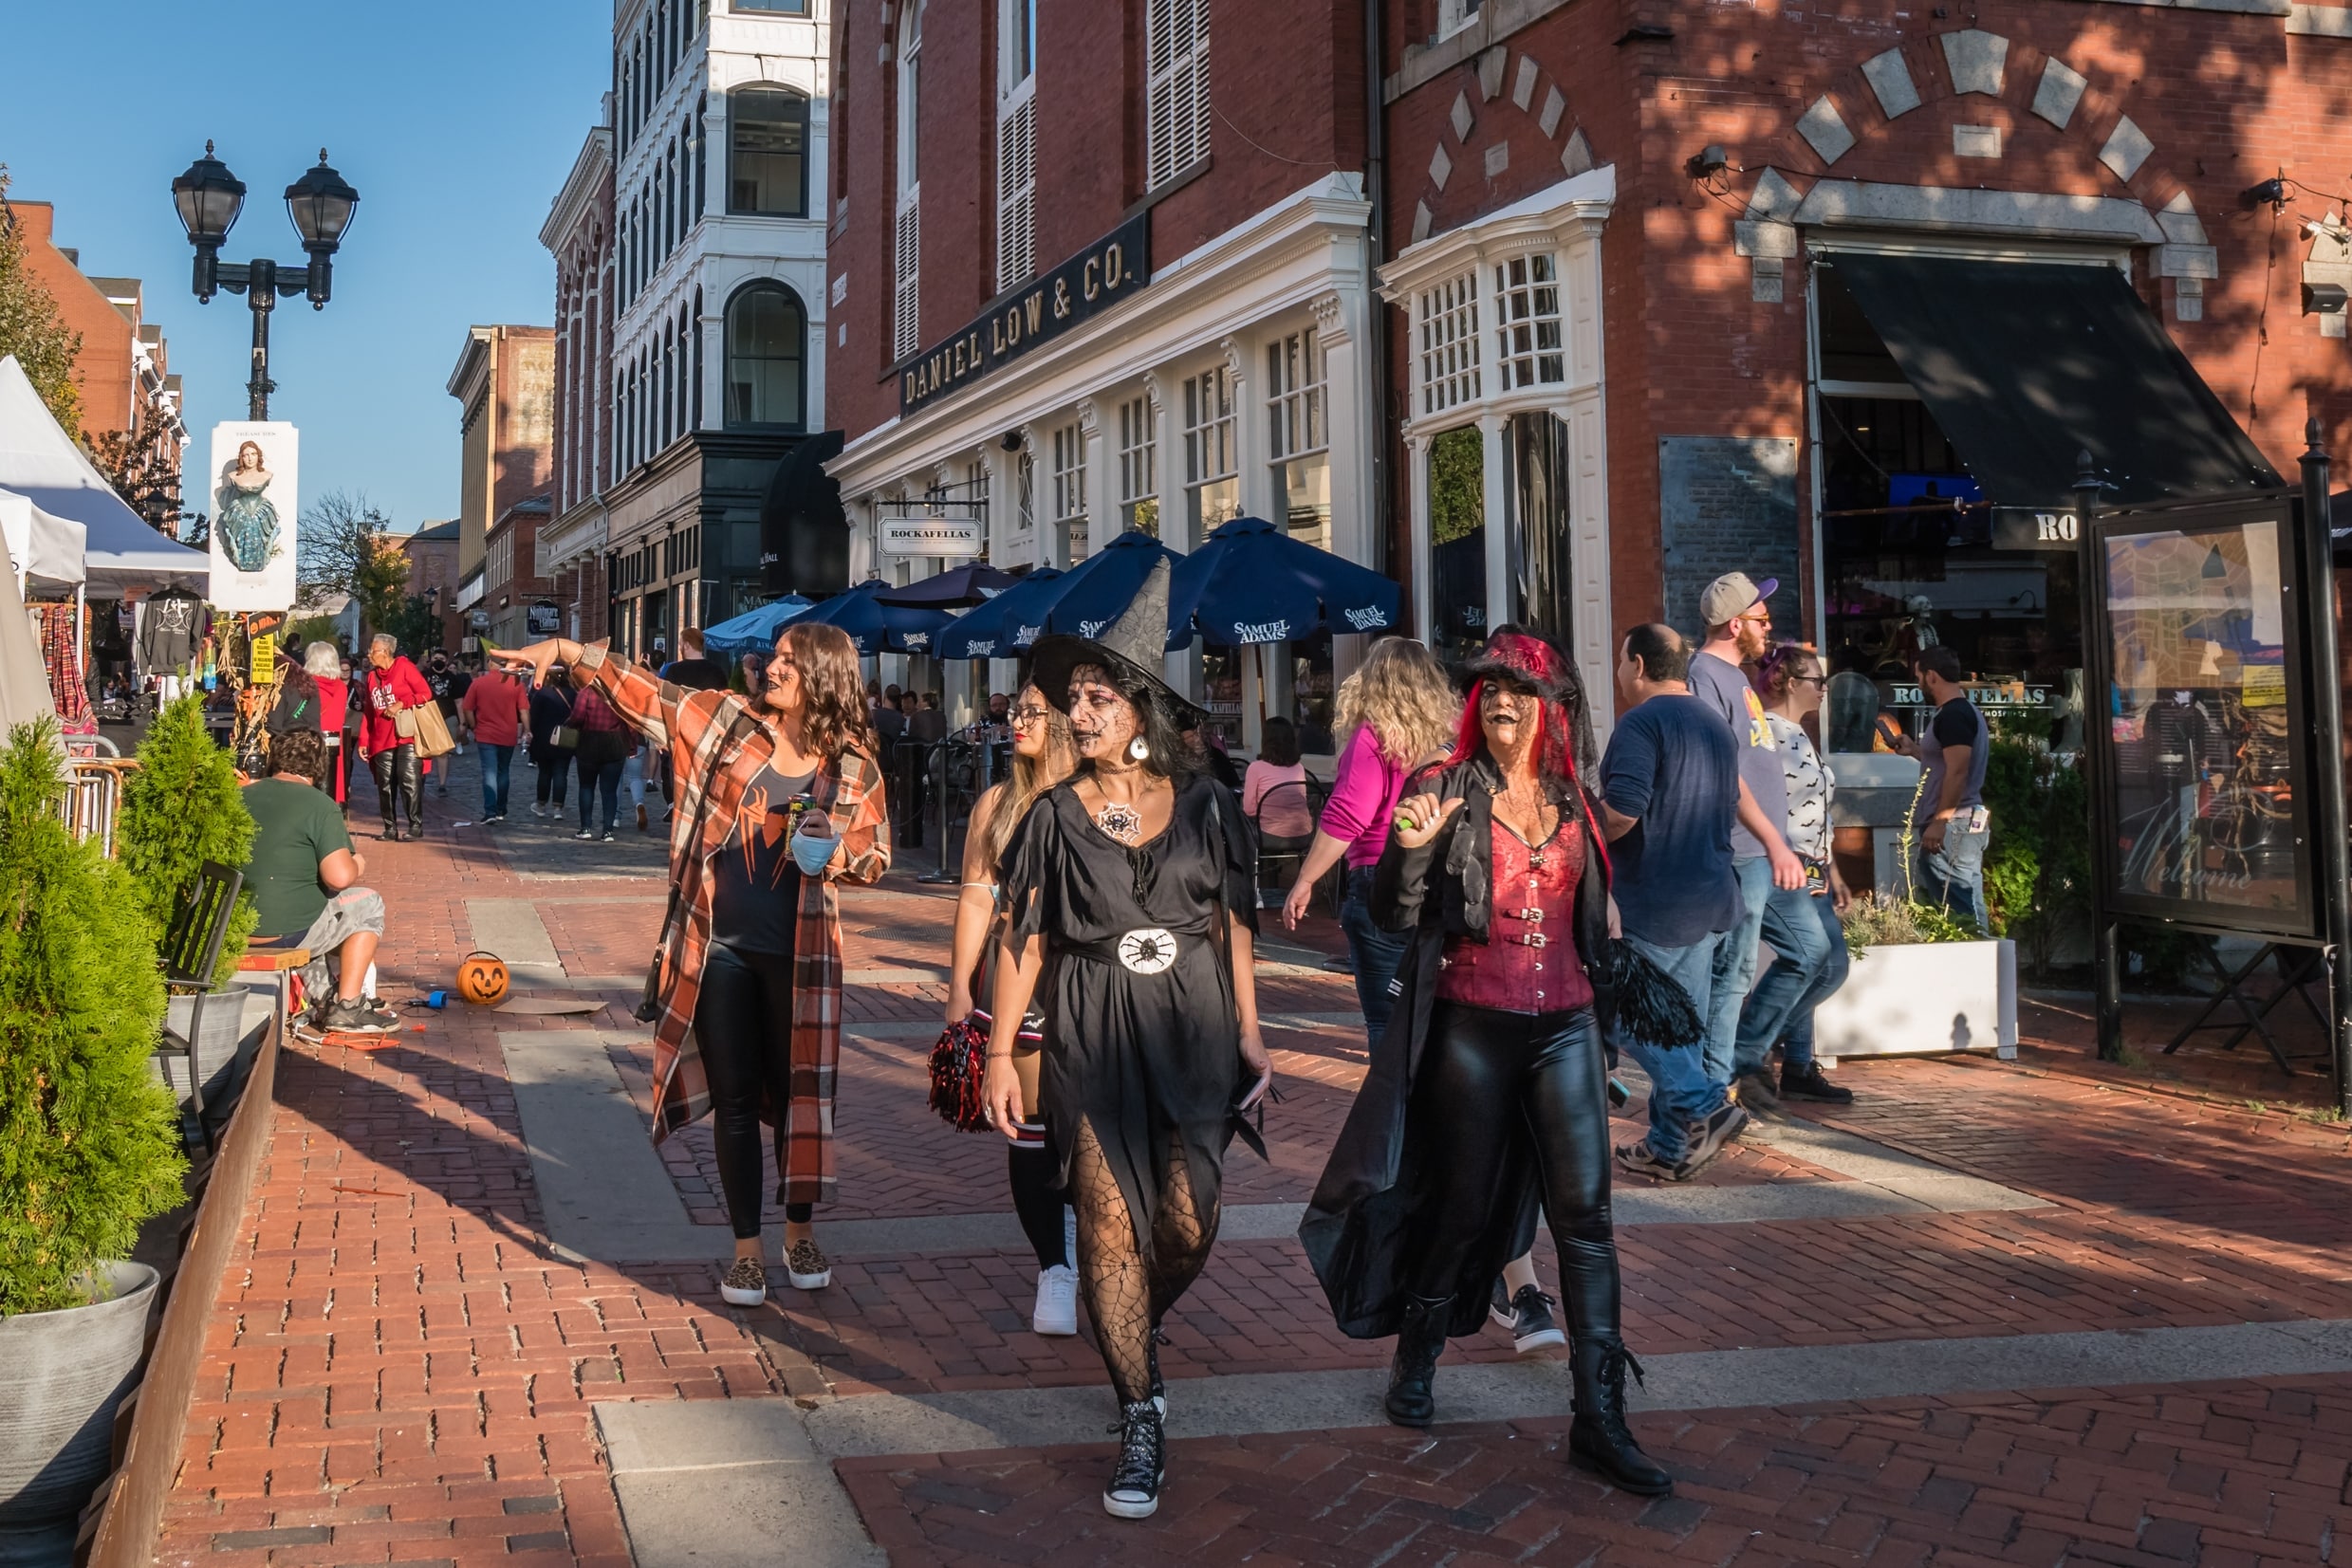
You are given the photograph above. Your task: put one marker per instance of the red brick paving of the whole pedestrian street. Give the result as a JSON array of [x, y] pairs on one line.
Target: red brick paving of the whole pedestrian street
[[406, 1369]]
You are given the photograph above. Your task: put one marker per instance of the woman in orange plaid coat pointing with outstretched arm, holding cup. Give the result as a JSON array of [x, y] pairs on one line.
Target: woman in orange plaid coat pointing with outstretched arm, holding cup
[[780, 800]]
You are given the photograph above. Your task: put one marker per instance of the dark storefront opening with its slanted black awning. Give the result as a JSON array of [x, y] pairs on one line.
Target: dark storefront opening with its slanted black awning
[[1951, 396]]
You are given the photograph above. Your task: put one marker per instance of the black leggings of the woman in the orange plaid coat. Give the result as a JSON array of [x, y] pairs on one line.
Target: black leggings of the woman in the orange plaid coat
[[744, 1031]]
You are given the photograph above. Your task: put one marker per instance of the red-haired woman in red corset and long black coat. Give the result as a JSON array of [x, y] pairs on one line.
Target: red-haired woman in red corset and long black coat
[[1488, 1094]]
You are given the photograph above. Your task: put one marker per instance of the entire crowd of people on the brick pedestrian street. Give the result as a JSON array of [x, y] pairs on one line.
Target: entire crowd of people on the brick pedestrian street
[[1523, 911]]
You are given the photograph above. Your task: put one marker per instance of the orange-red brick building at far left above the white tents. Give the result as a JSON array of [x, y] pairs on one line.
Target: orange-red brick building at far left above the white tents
[[131, 396]]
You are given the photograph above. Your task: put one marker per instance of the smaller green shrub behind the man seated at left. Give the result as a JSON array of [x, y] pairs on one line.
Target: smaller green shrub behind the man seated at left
[[180, 810]]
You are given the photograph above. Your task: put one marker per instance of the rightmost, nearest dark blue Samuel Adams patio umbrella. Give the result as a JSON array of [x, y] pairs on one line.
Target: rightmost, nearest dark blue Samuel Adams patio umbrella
[[1250, 582]]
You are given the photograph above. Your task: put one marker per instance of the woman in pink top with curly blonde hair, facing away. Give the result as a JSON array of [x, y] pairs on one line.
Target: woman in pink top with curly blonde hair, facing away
[[1398, 713]]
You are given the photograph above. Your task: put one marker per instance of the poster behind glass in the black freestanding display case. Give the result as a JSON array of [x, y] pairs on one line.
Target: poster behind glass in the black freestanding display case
[[2207, 817]]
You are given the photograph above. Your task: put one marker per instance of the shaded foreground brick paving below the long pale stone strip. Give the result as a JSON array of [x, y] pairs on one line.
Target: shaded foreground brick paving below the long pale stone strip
[[2217, 1475]]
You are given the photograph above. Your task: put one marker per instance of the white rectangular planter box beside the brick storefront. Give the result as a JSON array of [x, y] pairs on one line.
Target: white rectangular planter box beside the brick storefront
[[1920, 998]]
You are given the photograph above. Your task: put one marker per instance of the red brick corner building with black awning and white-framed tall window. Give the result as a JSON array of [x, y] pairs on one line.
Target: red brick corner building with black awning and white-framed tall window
[[1683, 288]]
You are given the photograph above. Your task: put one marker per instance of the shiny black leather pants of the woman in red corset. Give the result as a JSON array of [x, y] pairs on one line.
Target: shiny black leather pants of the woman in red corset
[[1481, 1073]]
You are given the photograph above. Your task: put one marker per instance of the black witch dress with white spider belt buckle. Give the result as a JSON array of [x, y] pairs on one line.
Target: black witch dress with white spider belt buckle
[[1142, 1038]]
